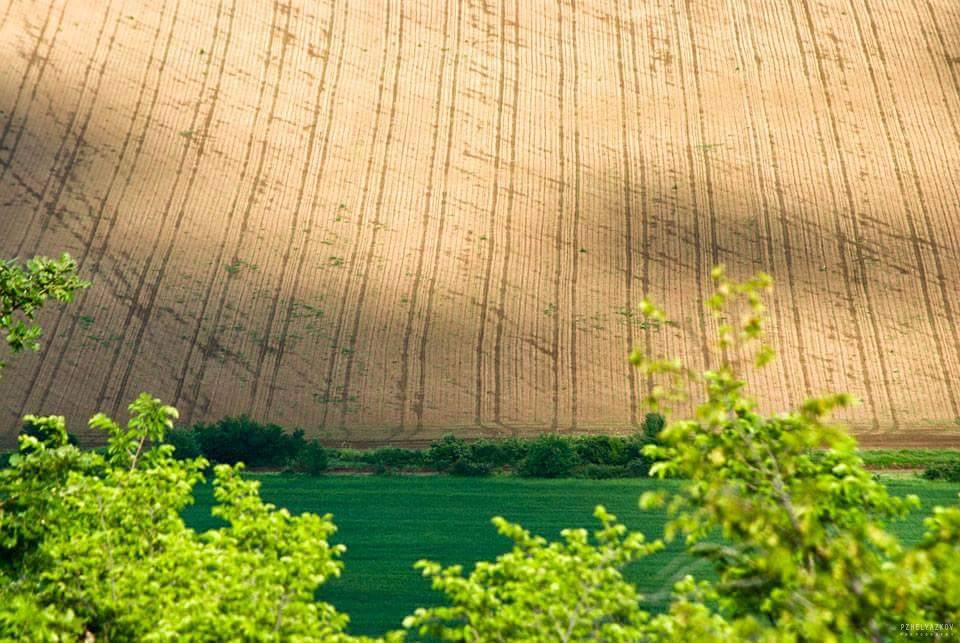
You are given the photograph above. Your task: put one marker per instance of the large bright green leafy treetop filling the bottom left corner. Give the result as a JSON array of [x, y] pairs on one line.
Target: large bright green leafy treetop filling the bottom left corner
[[93, 546]]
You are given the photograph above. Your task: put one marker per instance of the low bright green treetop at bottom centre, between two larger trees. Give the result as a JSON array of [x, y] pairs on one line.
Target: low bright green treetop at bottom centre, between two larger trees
[[539, 591]]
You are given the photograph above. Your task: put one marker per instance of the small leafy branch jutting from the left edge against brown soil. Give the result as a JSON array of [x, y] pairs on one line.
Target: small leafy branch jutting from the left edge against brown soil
[[25, 289]]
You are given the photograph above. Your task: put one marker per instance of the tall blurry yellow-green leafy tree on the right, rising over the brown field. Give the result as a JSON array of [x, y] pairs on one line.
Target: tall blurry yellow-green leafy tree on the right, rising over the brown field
[[784, 509]]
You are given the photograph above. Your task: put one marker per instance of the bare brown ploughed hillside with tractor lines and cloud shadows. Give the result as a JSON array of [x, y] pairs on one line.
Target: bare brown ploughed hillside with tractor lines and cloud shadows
[[381, 220]]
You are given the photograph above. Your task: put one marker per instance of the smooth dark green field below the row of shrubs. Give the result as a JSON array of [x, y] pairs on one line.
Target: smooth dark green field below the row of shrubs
[[388, 523]]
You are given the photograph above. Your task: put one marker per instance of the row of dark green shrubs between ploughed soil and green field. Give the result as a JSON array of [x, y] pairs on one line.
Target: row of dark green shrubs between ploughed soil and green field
[[241, 439]]
